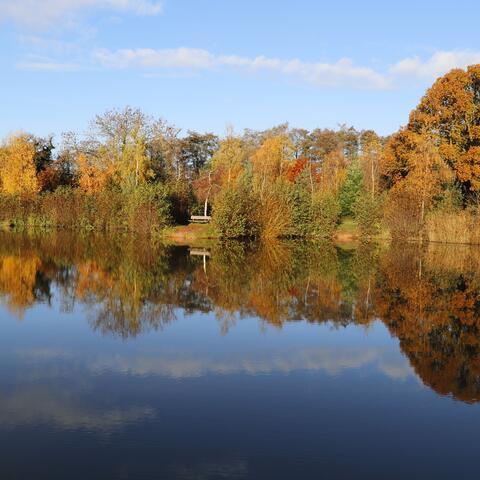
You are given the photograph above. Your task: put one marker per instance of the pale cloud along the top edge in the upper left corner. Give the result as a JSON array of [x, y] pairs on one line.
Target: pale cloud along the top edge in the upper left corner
[[36, 12]]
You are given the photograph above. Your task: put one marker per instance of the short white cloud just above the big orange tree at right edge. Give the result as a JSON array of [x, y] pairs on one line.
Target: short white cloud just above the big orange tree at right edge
[[438, 64]]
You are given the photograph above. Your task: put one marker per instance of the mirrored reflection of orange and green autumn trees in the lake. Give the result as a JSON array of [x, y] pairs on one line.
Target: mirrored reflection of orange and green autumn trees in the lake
[[427, 296]]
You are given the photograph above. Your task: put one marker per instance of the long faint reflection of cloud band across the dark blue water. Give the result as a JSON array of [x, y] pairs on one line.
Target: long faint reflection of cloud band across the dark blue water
[[169, 363]]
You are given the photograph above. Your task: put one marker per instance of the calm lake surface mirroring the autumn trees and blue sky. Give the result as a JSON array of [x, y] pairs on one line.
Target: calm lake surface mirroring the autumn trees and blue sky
[[119, 359]]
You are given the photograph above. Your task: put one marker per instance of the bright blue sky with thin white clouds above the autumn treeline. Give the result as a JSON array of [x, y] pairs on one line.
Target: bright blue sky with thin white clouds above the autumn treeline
[[206, 64]]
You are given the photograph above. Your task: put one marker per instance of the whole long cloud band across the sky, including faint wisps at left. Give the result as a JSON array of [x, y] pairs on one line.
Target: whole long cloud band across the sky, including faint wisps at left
[[187, 62]]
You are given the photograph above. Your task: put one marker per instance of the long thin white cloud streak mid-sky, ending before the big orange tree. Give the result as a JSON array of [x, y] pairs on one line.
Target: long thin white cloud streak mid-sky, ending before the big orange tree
[[341, 73]]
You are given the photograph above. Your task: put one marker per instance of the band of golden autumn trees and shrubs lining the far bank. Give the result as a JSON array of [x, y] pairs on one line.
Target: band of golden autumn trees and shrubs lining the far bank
[[135, 173]]
